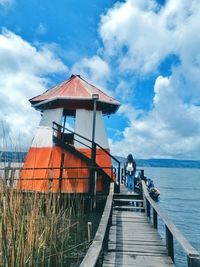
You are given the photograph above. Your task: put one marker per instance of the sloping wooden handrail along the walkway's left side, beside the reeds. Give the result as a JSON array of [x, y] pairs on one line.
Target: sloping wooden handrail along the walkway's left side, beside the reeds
[[95, 248]]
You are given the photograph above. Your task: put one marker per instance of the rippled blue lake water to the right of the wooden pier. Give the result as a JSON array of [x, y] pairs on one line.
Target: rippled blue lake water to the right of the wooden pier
[[180, 199]]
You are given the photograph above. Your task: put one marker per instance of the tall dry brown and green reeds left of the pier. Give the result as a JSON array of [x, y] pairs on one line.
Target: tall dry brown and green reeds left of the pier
[[38, 230]]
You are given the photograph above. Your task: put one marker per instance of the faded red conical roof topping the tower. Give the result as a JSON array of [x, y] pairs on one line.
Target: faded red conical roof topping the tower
[[73, 94]]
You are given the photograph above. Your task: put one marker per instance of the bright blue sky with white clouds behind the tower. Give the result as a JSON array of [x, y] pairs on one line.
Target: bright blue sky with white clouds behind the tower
[[144, 53]]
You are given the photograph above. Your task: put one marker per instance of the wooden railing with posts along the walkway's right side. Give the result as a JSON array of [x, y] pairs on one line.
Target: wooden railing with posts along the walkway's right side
[[172, 232]]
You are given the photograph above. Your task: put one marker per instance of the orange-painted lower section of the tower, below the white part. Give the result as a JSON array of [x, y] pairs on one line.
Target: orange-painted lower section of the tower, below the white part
[[42, 171]]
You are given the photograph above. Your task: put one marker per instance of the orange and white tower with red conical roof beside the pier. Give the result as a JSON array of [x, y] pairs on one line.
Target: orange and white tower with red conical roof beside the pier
[[70, 140]]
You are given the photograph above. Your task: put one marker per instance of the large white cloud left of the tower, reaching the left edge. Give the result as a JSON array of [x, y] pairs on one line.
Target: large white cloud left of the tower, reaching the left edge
[[24, 74]]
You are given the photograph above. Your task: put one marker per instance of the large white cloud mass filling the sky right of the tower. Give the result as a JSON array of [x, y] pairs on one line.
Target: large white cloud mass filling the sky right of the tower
[[139, 36]]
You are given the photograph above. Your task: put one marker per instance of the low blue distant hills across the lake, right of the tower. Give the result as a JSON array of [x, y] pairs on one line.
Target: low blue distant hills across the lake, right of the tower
[[170, 163]]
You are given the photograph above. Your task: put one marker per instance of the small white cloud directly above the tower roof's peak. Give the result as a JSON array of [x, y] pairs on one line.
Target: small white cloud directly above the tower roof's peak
[[93, 69]]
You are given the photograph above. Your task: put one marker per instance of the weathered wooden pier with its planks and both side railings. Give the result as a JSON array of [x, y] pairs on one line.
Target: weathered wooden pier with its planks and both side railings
[[128, 234]]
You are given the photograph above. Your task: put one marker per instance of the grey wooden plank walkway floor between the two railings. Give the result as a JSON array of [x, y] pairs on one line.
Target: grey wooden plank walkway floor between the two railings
[[132, 239]]
